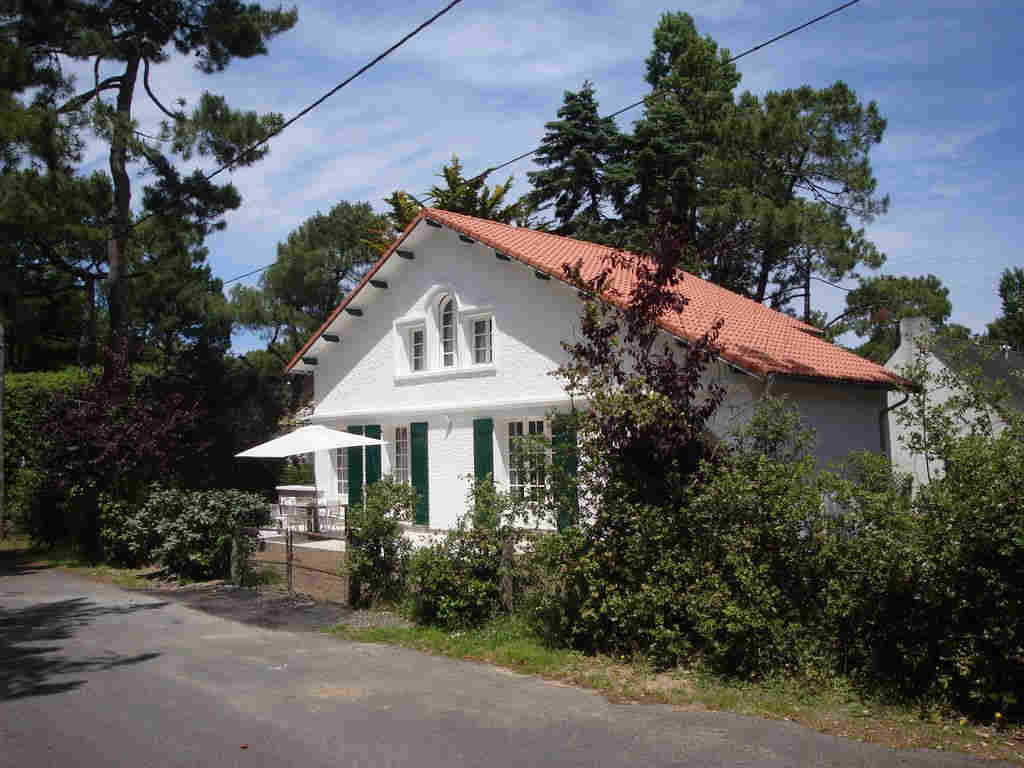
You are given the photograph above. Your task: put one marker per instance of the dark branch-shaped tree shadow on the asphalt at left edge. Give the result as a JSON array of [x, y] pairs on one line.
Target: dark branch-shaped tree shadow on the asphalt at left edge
[[33, 662]]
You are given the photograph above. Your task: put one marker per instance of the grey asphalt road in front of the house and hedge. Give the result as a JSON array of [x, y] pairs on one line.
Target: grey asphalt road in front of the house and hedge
[[94, 676]]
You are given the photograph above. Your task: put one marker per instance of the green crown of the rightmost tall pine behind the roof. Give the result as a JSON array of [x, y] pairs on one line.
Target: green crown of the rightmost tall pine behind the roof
[[791, 218]]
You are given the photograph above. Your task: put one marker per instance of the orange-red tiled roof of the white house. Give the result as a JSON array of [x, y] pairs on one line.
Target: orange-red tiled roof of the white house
[[753, 337]]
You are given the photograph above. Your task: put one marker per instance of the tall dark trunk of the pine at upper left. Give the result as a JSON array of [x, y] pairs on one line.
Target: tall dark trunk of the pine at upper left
[[121, 211]]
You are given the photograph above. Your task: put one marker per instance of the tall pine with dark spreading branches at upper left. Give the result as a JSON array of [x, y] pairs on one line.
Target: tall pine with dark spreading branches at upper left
[[134, 39]]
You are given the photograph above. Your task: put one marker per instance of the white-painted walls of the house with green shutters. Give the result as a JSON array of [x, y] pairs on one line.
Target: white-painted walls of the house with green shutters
[[365, 379]]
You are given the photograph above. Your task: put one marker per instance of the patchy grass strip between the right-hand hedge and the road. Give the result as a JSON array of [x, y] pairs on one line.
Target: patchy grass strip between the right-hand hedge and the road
[[833, 707]]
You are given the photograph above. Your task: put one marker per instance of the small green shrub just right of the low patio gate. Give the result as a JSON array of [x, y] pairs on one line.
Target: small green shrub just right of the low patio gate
[[377, 553]]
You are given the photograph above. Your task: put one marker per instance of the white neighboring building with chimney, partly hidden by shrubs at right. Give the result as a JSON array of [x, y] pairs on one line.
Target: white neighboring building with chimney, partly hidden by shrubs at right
[[918, 338]]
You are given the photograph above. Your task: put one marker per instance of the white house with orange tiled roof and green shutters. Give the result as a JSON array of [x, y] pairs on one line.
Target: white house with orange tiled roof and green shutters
[[446, 349]]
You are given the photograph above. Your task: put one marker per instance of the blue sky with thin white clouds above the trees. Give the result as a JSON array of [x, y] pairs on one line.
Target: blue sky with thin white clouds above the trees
[[483, 81]]
